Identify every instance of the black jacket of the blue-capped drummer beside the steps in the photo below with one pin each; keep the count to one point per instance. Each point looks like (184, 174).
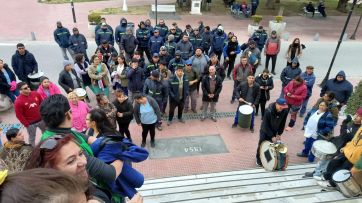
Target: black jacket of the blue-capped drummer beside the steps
(273, 122)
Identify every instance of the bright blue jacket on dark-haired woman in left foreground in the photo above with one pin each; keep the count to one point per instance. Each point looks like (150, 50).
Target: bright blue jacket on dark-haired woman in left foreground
(116, 148)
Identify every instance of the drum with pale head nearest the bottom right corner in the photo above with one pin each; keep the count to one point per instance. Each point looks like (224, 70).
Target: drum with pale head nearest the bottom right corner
(346, 184)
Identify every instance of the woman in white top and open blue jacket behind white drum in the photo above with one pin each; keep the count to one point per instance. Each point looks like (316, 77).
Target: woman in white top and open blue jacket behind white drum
(318, 124)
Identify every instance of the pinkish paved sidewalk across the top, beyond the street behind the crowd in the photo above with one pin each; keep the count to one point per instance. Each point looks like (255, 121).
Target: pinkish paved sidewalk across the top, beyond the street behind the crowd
(41, 19)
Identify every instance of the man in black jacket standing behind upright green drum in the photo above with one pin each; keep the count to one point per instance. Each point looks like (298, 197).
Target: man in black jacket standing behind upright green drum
(247, 93)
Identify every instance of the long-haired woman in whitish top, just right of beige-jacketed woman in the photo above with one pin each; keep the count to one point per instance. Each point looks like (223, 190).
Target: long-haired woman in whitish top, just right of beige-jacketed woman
(120, 80)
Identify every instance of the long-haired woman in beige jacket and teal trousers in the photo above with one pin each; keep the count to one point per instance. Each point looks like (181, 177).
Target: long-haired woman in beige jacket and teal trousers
(98, 72)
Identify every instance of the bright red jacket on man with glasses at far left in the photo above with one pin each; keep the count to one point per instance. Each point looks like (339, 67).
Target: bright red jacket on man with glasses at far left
(27, 108)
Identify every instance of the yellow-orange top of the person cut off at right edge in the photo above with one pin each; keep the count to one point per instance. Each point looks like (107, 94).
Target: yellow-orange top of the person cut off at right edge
(353, 149)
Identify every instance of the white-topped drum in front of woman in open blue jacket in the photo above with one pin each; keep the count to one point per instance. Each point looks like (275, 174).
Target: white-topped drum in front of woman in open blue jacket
(323, 149)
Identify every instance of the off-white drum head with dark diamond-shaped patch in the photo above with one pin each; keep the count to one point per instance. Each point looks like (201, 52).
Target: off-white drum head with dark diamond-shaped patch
(267, 156)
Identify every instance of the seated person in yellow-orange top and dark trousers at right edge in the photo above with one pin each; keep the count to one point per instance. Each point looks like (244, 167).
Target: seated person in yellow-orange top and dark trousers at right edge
(350, 155)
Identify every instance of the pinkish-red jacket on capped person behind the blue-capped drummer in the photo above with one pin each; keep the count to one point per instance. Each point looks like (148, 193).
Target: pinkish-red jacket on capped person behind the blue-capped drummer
(299, 93)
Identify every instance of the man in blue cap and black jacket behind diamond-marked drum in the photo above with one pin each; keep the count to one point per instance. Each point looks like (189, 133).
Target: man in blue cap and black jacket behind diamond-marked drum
(273, 124)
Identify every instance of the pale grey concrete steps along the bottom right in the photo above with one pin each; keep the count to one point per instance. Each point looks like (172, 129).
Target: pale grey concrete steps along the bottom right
(252, 185)
